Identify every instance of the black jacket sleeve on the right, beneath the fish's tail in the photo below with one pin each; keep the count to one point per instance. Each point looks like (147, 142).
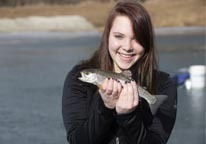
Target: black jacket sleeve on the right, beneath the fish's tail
(140, 127)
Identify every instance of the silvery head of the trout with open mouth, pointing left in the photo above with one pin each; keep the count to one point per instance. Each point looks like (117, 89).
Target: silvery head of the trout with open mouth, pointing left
(88, 76)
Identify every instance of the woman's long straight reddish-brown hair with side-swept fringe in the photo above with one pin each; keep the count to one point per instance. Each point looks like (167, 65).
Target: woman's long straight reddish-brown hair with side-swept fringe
(143, 31)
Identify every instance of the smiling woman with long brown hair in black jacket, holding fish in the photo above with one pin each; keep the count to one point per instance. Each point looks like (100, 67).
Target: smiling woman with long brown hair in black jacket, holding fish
(115, 113)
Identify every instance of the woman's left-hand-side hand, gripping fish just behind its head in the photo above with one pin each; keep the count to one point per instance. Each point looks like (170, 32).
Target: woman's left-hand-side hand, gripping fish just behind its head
(110, 91)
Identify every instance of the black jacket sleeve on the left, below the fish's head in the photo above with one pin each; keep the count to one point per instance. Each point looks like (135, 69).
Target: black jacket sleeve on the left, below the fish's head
(85, 122)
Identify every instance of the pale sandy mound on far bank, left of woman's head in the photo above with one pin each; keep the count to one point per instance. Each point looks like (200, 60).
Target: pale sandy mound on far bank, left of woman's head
(40, 23)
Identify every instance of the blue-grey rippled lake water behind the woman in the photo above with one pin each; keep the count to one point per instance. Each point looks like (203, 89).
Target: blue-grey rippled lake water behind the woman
(33, 67)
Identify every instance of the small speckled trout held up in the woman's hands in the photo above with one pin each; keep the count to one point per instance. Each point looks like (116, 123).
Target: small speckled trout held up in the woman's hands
(97, 76)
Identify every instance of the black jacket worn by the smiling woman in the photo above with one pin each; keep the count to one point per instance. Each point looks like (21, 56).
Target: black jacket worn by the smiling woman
(88, 121)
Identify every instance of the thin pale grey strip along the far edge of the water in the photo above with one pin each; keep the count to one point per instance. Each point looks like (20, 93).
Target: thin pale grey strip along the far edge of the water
(90, 32)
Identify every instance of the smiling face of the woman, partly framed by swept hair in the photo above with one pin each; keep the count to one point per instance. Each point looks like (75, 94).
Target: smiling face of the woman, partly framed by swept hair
(123, 47)
